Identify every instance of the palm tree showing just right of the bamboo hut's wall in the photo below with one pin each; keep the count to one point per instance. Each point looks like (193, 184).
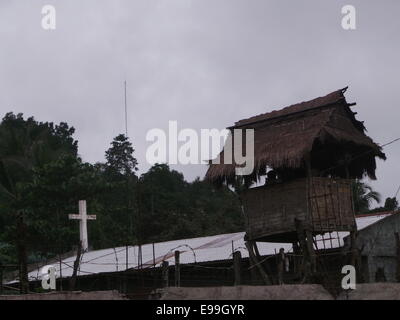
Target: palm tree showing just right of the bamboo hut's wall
(363, 196)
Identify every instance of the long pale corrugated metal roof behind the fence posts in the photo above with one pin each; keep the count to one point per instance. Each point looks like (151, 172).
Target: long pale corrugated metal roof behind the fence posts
(195, 250)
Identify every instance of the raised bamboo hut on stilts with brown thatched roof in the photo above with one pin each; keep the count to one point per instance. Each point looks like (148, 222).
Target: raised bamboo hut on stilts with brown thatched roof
(305, 156)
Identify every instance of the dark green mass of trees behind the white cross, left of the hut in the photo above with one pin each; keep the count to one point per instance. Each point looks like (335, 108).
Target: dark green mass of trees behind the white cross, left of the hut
(42, 178)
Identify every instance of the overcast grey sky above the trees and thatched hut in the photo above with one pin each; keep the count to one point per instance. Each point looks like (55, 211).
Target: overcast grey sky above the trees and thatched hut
(203, 63)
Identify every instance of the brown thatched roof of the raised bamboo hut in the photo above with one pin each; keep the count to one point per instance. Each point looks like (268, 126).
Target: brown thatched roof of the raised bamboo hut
(323, 128)
